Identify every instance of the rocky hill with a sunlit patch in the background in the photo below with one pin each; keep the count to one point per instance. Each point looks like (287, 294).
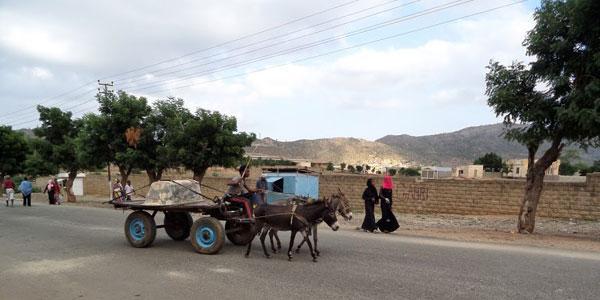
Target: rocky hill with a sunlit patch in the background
(447, 149)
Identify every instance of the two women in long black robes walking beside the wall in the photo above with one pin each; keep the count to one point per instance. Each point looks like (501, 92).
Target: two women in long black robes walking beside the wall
(388, 222)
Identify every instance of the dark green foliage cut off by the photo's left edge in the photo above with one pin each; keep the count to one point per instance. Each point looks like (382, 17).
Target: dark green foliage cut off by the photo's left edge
(13, 151)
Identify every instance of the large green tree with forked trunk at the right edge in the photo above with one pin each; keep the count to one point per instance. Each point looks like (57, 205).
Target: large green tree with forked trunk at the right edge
(566, 44)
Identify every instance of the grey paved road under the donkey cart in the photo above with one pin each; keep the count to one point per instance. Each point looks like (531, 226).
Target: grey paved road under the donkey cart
(58, 252)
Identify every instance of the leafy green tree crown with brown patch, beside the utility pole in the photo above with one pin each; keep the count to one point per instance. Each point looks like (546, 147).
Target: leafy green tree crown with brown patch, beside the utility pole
(102, 138)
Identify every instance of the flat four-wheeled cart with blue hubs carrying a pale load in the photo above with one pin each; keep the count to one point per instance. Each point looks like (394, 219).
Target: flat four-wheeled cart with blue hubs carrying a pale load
(178, 200)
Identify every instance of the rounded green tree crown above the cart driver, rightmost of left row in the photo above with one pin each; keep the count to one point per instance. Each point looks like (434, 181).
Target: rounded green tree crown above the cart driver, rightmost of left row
(211, 139)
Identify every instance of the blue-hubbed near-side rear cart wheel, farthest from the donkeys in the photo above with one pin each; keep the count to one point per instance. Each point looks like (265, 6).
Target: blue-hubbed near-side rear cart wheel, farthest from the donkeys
(140, 229)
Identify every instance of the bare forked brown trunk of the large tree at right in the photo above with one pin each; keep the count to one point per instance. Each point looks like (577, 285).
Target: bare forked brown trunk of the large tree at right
(535, 183)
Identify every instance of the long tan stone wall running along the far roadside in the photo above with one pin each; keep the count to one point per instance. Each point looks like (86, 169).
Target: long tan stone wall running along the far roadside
(451, 196)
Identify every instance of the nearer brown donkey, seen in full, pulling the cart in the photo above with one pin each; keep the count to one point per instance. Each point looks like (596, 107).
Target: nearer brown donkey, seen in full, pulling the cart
(292, 218)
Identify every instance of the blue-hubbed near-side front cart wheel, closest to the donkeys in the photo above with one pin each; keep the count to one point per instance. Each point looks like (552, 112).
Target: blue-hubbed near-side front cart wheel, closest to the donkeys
(207, 235)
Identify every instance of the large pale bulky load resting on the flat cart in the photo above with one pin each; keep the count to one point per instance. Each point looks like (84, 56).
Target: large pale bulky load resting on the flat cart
(174, 193)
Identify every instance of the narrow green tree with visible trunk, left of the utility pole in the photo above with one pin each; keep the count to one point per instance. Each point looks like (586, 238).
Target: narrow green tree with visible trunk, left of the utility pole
(58, 133)
